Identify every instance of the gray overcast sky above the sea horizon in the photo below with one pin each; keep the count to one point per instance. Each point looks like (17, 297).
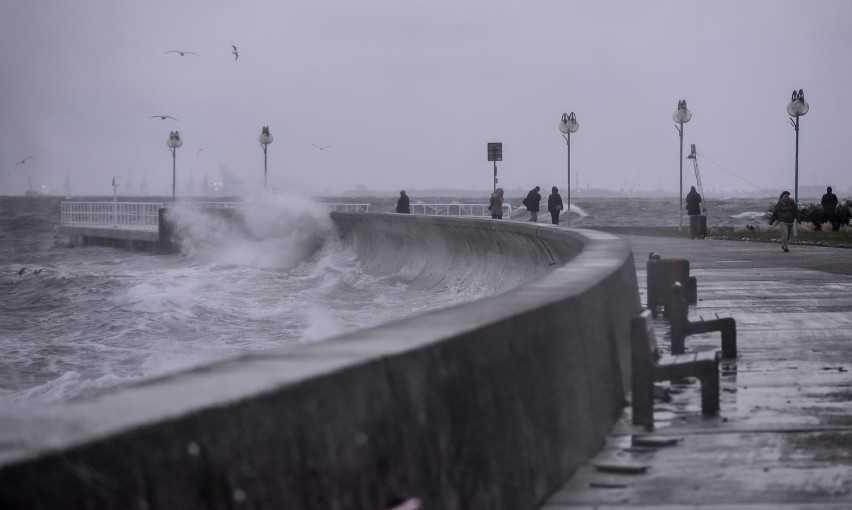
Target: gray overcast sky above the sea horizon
(408, 92)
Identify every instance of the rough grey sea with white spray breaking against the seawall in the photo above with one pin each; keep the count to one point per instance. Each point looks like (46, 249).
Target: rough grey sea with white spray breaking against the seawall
(75, 321)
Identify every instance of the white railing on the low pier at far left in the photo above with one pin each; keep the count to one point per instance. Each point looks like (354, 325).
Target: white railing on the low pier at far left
(127, 215)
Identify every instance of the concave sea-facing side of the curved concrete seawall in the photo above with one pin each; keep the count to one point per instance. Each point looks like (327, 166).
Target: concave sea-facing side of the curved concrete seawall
(433, 250)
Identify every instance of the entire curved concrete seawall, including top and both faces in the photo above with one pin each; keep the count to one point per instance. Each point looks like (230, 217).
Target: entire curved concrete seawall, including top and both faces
(491, 404)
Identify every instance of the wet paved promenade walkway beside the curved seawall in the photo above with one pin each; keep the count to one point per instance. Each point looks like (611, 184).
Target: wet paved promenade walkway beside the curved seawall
(783, 438)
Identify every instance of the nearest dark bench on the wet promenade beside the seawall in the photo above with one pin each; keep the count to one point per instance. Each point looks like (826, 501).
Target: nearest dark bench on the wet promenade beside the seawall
(649, 367)
